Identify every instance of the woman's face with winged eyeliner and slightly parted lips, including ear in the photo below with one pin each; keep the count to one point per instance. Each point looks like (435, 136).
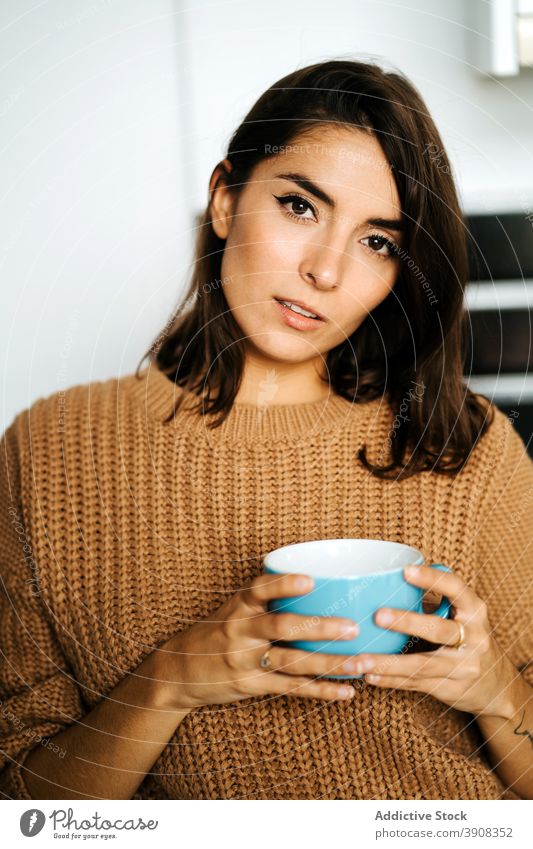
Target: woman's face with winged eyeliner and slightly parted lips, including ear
(331, 253)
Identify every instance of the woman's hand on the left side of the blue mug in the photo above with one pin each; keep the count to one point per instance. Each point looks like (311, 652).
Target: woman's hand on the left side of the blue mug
(217, 660)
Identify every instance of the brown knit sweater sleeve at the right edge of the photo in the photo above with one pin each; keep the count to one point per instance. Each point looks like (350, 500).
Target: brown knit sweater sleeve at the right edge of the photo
(504, 543)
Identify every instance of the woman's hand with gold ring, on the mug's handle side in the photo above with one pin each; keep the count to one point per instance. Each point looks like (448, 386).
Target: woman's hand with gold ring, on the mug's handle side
(476, 678)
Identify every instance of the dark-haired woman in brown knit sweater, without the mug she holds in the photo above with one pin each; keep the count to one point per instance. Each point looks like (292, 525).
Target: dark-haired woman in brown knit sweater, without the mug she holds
(308, 386)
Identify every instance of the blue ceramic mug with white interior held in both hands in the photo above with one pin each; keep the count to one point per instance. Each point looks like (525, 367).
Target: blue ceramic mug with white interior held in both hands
(353, 578)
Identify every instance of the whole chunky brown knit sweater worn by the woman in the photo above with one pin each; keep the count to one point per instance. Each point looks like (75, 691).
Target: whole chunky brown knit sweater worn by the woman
(118, 530)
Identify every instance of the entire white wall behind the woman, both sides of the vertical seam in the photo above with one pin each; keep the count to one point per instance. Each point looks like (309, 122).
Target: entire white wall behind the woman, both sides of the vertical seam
(114, 113)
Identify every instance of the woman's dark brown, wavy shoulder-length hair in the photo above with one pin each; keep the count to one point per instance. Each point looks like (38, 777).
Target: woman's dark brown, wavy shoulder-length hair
(415, 336)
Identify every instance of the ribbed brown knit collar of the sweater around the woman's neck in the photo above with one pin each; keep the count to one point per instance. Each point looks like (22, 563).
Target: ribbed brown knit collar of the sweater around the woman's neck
(158, 395)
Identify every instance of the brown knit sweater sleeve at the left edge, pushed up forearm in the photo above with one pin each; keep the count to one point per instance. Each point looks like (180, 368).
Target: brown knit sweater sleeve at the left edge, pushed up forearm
(38, 695)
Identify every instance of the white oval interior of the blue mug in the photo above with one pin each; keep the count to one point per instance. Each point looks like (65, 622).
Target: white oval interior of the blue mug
(342, 558)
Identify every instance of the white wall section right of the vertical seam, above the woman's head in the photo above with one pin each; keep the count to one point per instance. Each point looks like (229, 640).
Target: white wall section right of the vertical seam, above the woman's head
(241, 48)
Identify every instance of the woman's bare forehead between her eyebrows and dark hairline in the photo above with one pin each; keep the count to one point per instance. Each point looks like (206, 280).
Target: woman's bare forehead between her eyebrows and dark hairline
(349, 164)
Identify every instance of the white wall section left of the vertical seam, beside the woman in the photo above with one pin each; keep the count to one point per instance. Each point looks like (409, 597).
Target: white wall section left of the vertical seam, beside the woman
(94, 205)
